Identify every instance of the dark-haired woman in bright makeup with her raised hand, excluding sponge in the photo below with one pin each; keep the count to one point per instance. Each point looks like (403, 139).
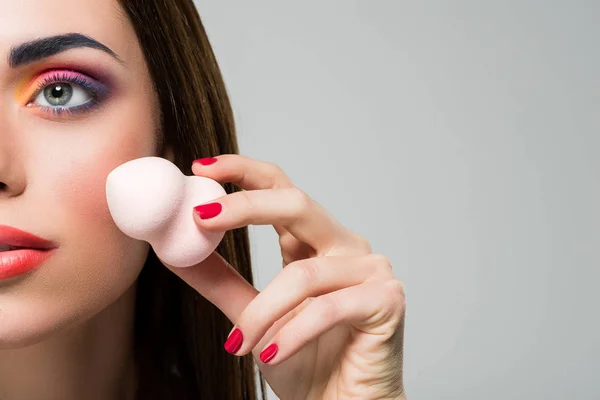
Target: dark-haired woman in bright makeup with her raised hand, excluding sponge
(90, 84)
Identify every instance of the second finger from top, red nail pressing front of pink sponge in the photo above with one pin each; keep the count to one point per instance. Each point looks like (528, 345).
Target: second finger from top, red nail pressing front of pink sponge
(289, 207)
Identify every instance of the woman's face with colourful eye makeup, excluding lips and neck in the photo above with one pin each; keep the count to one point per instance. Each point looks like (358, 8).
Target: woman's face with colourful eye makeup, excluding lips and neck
(71, 110)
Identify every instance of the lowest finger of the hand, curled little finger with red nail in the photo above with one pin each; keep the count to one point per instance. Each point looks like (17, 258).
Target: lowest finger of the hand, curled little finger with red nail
(377, 307)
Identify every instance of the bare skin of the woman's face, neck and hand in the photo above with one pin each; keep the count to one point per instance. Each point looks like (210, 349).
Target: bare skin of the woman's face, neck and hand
(335, 311)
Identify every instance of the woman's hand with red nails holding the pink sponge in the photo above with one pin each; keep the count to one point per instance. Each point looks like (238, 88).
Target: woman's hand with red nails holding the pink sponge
(330, 325)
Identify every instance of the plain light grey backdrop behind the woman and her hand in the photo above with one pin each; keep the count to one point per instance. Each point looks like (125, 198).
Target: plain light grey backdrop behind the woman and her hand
(460, 137)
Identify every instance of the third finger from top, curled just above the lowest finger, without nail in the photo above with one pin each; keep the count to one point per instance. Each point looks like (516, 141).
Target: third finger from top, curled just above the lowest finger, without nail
(301, 280)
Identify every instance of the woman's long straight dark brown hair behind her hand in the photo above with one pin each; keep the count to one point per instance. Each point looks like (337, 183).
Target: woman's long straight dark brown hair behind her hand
(179, 334)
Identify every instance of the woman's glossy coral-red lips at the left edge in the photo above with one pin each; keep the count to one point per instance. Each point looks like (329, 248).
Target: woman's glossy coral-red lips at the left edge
(21, 252)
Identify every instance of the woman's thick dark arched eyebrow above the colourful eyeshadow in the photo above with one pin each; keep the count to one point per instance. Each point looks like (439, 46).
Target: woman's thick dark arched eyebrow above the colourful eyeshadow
(38, 49)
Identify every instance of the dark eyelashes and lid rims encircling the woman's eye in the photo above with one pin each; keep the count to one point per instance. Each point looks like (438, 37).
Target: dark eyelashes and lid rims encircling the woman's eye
(96, 91)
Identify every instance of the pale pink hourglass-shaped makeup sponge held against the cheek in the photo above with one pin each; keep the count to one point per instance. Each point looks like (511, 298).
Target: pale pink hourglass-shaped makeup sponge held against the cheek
(151, 199)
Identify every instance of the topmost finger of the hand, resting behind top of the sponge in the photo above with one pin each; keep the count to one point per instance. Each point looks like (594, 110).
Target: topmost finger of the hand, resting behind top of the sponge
(244, 172)
